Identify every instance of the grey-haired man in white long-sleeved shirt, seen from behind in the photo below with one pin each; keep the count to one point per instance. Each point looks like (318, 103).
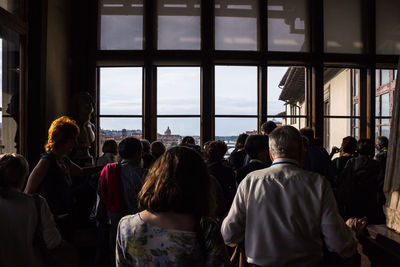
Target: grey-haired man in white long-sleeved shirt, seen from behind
(283, 213)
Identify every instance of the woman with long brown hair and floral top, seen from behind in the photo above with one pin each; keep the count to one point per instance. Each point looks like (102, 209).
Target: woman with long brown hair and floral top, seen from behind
(175, 199)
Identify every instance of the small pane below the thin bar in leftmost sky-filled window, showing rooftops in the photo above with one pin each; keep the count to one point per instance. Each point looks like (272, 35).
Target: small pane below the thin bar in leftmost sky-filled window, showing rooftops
(119, 128)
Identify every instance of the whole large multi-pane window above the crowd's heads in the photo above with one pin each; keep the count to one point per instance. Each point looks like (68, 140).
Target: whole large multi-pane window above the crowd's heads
(215, 69)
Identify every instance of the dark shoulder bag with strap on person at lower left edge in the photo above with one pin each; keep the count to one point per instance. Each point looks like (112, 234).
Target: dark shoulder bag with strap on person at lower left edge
(63, 255)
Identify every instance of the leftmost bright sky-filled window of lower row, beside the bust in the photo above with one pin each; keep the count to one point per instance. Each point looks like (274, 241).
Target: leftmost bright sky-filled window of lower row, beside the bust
(120, 103)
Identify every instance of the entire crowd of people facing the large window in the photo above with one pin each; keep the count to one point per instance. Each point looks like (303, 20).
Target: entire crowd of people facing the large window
(278, 200)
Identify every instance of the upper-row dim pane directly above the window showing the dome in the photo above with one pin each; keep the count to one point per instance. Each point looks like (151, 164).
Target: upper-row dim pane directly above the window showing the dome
(178, 24)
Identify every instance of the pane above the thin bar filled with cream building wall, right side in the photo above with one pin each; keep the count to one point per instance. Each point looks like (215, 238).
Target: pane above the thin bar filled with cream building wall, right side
(337, 92)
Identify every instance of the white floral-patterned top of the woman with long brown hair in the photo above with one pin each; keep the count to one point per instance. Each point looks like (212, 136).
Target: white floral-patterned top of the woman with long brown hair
(142, 244)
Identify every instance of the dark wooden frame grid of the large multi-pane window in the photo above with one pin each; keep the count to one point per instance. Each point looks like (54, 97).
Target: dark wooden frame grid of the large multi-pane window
(315, 61)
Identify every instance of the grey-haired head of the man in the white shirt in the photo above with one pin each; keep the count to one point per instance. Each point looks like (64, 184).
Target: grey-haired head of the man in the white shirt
(285, 141)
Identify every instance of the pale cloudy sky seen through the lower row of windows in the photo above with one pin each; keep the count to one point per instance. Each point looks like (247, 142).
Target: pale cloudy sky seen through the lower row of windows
(178, 93)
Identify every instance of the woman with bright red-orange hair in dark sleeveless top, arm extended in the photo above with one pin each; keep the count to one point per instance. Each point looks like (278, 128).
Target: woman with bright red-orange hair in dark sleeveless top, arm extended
(51, 177)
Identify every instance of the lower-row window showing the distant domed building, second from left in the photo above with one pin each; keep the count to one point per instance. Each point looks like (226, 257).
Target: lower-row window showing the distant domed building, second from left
(178, 104)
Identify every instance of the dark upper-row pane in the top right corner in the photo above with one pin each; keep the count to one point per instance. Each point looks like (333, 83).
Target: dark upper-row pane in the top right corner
(387, 27)
